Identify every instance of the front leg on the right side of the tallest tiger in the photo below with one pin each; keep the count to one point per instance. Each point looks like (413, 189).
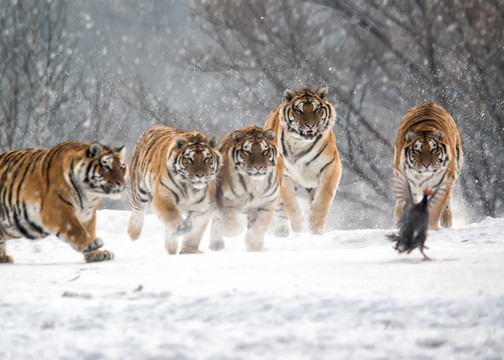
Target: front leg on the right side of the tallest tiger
(324, 195)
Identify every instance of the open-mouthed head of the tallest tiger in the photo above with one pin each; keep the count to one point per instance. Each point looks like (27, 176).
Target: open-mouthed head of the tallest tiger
(307, 114)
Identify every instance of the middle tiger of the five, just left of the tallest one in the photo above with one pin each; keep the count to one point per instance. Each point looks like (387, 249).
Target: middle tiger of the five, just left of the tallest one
(248, 183)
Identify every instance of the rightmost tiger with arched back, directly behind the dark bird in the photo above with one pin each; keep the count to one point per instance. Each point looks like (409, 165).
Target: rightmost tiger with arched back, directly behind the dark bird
(429, 151)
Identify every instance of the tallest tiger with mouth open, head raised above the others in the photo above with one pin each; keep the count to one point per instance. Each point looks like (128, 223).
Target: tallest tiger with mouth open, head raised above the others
(303, 127)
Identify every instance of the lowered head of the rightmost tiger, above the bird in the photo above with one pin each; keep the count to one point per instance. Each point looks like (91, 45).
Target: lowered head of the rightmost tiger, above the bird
(425, 151)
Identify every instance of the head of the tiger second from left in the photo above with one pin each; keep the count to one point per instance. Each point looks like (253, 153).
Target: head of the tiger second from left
(194, 159)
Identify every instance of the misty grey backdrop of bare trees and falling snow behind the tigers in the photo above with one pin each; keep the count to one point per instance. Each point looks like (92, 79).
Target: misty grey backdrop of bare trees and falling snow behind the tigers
(106, 71)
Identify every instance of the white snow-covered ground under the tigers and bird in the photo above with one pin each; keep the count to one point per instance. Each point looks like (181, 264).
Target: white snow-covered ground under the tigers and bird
(344, 295)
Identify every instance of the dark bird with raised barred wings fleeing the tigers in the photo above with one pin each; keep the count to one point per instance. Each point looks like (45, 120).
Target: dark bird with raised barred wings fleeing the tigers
(414, 220)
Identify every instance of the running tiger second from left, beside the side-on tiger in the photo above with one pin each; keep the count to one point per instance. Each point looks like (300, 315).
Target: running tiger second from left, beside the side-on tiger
(176, 173)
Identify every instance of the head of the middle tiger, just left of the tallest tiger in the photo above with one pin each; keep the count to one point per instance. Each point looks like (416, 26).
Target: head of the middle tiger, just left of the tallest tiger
(254, 152)
